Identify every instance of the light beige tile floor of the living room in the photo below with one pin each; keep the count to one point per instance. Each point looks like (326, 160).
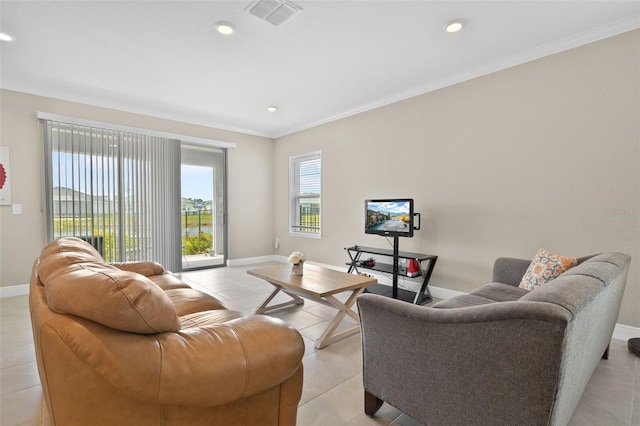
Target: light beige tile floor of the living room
(332, 393)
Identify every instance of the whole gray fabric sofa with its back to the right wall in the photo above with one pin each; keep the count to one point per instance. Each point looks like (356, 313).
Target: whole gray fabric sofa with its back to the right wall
(500, 355)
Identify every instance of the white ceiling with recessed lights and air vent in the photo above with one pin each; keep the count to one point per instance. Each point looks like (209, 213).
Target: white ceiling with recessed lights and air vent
(334, 59)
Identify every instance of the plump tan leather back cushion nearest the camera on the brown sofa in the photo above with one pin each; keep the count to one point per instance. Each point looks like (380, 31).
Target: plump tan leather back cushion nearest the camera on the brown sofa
(122, 300)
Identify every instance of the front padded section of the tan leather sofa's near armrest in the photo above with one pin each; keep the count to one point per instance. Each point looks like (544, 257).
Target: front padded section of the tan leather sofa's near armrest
(229, 361)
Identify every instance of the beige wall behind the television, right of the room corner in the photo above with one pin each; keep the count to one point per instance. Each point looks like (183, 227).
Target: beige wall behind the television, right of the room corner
(542, 155)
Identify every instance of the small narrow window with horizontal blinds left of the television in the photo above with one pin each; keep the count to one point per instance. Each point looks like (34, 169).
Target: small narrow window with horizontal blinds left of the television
(305, 182)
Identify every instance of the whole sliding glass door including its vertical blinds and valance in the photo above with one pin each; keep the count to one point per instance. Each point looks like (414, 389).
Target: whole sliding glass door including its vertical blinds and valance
(136, 196)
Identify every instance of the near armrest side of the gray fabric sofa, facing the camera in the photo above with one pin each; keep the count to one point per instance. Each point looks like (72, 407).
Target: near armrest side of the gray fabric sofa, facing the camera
(466, 365)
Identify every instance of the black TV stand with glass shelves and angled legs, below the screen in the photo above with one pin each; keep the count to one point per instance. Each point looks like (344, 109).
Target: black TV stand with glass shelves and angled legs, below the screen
(423, 295)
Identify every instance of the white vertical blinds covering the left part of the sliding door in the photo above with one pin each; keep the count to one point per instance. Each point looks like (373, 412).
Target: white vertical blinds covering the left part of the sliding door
(119, 190)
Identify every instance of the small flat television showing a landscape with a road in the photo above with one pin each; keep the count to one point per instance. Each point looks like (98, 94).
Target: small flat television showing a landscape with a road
(390, 217)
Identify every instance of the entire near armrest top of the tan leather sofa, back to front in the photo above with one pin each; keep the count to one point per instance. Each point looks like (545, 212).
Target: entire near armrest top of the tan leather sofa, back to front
(208, 366)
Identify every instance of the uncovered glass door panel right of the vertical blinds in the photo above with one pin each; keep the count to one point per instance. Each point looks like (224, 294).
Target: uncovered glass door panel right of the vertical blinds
(202, 207)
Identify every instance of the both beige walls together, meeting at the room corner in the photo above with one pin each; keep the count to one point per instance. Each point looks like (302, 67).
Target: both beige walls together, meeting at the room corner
(545, 154)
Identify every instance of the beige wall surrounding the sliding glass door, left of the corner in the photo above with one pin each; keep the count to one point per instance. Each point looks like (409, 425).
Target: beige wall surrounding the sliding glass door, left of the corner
(250, 179)
